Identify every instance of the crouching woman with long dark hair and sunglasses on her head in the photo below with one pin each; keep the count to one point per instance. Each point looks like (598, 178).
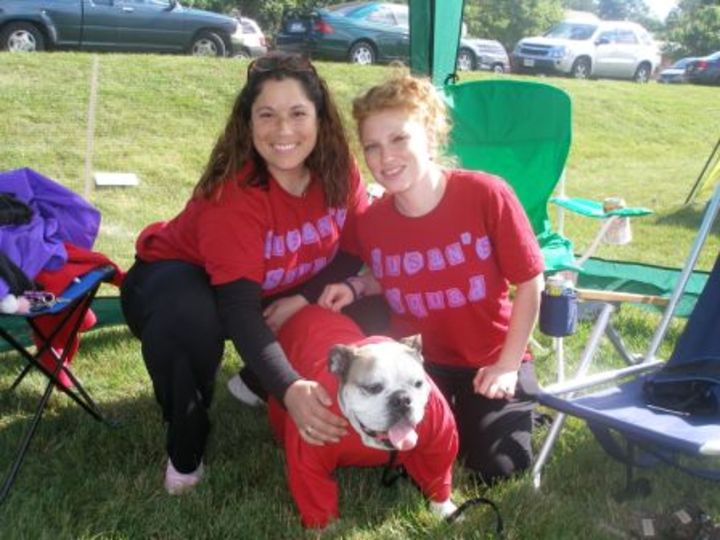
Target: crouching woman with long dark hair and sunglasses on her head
(270, 222)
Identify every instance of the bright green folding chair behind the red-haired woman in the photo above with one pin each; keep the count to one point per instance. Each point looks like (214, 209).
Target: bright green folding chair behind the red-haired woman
(522, 131)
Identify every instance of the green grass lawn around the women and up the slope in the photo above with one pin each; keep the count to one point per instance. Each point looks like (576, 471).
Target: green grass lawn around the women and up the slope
(158, 117)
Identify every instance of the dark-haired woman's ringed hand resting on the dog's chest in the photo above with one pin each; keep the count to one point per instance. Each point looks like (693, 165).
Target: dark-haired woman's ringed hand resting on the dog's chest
(308, 402)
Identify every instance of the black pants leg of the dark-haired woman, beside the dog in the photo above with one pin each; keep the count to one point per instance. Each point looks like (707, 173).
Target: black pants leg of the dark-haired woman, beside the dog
(170, 306)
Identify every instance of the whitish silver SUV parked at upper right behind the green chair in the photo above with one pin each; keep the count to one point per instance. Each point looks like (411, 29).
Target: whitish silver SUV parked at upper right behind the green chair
(583, 49)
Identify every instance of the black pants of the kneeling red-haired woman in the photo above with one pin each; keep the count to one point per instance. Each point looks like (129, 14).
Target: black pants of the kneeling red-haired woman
(495, 434)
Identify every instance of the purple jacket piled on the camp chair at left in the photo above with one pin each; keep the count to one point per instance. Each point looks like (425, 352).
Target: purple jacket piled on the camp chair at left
(59, 215)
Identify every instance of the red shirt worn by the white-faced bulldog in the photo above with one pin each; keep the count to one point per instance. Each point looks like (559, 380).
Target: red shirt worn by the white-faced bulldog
(307, 338)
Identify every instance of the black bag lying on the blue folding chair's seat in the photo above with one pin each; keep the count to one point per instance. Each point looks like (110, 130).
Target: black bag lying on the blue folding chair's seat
(691, 389)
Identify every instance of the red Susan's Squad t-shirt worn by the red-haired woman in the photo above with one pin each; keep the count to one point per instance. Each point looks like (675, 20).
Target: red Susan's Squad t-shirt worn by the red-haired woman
(446, 274)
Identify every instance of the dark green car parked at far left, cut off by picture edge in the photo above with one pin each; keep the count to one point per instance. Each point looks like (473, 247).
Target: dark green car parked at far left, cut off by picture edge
(116, 25)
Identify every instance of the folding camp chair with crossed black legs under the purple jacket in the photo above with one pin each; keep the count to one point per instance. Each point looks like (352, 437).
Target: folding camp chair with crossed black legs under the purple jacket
(70, 309)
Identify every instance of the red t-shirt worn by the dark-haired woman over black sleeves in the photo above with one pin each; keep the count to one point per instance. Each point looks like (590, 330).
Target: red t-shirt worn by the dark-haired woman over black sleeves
(265, 235)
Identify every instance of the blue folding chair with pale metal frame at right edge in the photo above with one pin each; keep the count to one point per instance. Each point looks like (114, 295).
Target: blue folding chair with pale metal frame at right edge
(662, 435)
